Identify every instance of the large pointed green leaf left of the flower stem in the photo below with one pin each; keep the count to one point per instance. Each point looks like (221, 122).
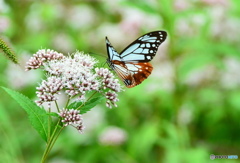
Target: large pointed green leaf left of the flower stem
(37, 116)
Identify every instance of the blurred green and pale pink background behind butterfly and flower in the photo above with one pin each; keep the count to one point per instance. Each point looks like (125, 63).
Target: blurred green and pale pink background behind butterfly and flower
(188, 109)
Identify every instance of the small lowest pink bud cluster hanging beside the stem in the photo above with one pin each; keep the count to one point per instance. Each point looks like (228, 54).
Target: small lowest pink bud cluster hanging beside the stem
(72, 117)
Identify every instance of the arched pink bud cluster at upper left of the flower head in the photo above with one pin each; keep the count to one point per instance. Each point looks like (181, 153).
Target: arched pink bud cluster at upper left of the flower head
(41, 56)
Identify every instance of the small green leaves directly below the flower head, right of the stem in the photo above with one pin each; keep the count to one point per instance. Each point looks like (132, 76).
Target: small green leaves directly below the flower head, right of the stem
(87, 106)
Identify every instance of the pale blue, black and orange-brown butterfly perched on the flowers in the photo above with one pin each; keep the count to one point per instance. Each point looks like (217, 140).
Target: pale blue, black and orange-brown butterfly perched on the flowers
(132, 64)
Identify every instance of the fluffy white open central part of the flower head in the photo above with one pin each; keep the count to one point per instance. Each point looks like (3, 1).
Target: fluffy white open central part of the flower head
(76, 74)
